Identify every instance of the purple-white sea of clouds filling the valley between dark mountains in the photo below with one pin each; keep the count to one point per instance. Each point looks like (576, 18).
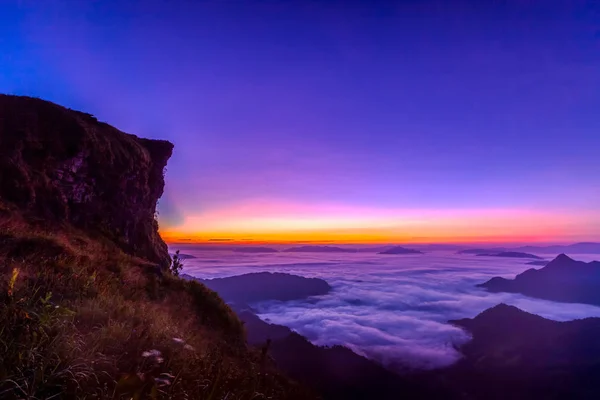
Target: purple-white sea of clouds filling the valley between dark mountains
(391, 308)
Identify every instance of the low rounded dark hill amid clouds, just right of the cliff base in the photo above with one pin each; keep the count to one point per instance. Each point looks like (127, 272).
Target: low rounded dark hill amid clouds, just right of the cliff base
(260, 286)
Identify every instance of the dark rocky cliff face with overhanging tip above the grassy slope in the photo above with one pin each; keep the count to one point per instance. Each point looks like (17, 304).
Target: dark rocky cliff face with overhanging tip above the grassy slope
(64, 166)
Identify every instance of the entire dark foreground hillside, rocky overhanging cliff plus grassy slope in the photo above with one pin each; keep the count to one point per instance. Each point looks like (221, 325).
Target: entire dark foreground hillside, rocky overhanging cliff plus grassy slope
(87, 308)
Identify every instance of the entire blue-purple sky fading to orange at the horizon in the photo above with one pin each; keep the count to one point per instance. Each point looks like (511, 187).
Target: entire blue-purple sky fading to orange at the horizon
(354, 121)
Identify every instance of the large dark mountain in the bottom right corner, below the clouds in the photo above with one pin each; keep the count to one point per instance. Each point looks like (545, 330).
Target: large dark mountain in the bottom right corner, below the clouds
(517, 355)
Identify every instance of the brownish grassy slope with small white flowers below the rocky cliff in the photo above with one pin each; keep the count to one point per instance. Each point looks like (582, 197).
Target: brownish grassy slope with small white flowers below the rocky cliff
(80, 319)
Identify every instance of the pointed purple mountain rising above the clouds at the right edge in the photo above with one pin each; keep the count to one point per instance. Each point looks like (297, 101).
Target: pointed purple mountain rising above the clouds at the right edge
(562, 279)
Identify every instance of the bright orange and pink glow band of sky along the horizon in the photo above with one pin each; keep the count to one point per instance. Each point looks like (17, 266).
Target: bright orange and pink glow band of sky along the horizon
(278, 222)
